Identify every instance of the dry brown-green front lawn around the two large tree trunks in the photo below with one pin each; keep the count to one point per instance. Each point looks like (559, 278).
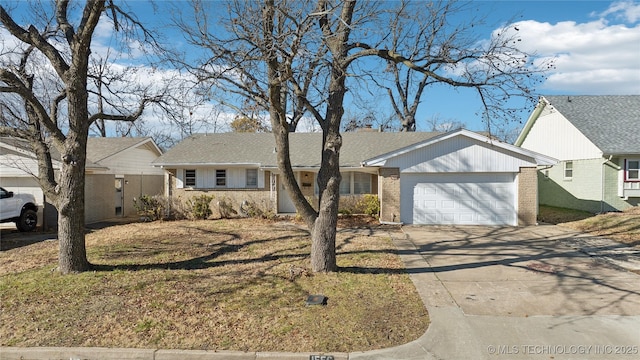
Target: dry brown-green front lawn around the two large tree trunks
(223, 285)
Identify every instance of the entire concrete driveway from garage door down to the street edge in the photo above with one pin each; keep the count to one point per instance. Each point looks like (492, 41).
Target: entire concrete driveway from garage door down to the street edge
(518, 293)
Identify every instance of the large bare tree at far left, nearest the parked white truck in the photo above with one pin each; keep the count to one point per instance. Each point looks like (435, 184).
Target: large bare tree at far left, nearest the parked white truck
(47, 101)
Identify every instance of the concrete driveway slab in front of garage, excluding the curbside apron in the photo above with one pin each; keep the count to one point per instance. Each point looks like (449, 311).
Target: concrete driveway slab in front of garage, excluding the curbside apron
(539, 270)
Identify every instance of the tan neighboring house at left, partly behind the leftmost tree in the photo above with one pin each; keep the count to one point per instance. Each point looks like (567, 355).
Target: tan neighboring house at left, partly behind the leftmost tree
(117, 170)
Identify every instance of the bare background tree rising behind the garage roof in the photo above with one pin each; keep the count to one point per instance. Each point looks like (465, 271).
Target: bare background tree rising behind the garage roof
(429, 48)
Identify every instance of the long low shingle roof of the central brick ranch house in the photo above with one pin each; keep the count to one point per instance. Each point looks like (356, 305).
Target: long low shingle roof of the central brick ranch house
(245, 148)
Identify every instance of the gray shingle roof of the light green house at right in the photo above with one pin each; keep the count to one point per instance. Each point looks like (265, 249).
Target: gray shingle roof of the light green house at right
(611, 122)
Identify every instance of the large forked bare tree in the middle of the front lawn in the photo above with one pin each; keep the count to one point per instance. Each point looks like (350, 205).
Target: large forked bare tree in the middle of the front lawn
(266, 51)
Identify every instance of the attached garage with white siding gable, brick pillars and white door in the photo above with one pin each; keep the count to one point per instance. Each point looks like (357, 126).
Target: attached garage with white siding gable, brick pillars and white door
(459, 178)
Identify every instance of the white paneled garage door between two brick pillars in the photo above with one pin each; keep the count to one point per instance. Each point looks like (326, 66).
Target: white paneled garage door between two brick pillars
(460, 199)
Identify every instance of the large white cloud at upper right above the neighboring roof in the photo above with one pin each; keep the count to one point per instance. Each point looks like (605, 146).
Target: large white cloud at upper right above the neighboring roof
(591, 58)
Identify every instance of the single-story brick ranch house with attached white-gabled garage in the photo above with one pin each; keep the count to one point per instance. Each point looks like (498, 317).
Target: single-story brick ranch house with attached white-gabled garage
(459, 177)
